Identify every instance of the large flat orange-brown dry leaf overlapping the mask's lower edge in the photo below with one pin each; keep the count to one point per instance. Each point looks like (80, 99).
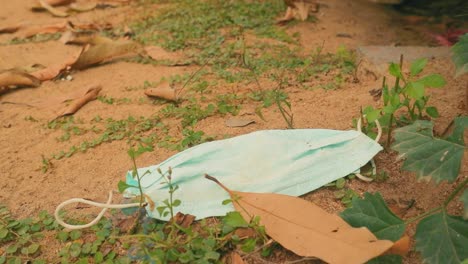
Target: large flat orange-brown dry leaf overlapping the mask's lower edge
(306, 229)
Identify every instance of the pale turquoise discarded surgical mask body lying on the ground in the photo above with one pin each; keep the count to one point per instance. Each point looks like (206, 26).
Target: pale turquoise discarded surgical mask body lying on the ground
(291, 162)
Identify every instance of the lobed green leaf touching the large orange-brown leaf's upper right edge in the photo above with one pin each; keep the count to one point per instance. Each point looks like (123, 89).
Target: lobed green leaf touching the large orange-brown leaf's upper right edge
(373, 213)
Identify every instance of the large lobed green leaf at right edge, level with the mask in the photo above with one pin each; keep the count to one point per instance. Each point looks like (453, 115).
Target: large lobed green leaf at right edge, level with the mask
(429, 156)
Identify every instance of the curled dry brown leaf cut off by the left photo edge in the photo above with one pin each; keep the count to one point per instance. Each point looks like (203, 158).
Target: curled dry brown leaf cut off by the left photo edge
(17, 78)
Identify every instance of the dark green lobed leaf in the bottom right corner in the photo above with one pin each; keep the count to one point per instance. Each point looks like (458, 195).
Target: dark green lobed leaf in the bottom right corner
(442, 238)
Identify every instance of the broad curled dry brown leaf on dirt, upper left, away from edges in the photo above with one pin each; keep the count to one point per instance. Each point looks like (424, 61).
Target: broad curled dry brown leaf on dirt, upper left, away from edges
(101, 52)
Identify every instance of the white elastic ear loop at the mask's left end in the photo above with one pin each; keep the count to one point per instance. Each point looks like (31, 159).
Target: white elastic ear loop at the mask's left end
(105, 206)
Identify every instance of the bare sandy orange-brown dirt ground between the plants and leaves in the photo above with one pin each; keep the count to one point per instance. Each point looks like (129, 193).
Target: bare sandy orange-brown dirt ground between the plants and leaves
(26, 189)
